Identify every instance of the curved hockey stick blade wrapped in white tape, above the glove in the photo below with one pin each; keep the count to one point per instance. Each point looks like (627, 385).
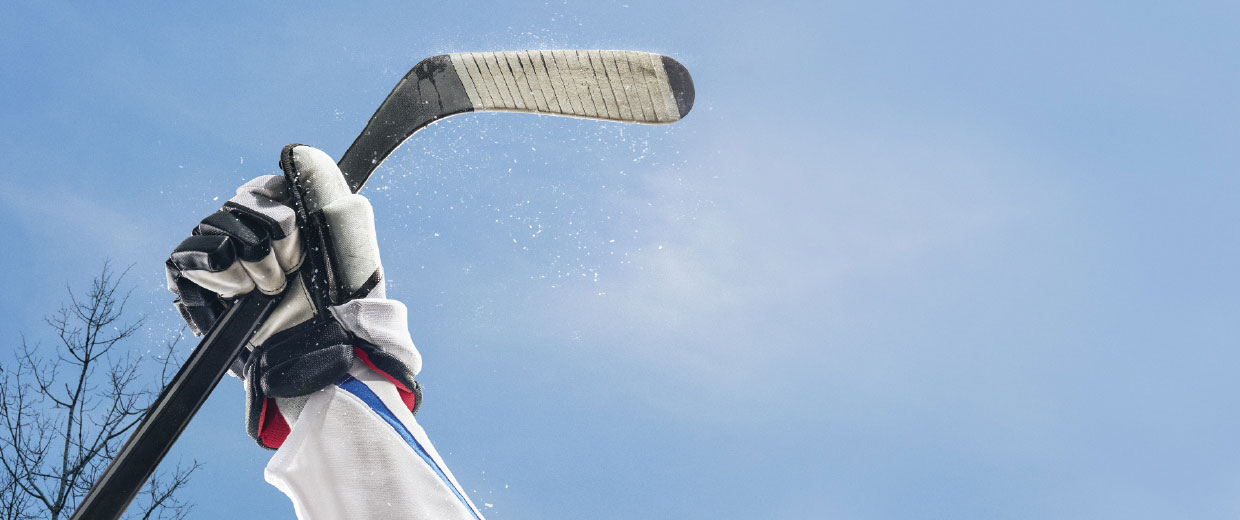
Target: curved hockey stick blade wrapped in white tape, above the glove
(621, 86)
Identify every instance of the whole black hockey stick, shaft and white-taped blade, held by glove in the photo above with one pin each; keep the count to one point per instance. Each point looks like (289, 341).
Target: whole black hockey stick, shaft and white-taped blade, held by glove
(622, 86)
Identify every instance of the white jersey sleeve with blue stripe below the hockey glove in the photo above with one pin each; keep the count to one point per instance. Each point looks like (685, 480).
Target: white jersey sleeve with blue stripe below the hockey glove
(356, 452)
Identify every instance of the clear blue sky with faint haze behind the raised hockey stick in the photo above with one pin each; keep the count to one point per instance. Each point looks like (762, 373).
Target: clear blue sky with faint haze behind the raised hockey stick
(903, 260)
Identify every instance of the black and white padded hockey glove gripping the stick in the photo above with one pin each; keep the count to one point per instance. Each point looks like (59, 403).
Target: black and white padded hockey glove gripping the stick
(307, 235)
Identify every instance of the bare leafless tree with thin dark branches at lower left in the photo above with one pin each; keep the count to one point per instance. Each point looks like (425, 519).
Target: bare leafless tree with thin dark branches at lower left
(68, 409)
